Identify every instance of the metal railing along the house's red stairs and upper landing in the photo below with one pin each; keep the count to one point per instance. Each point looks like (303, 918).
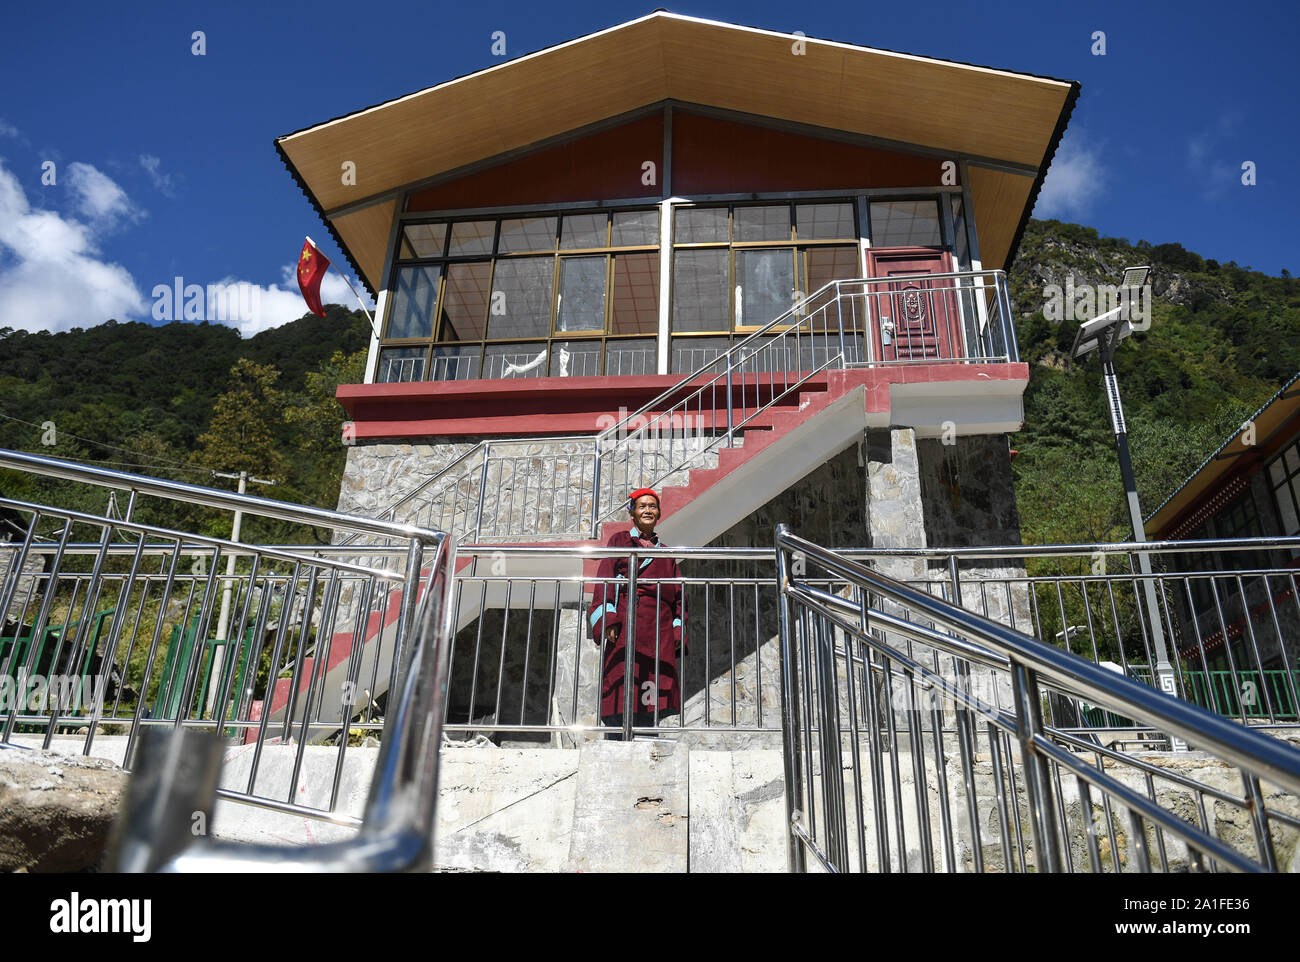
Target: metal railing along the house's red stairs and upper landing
(582, 482)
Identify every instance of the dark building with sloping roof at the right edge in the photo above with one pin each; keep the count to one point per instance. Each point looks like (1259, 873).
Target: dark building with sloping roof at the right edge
(1249, 488)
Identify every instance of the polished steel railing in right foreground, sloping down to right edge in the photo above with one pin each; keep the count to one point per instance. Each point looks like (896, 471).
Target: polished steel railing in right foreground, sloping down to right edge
(916, 740)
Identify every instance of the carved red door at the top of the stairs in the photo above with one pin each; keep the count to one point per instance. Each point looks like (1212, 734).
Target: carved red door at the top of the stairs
(915, 319)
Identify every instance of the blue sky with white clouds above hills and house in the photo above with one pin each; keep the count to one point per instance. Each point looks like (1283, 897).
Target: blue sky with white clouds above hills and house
(164, 163)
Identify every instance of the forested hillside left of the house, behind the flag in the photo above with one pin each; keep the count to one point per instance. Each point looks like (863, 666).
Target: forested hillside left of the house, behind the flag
(181, 401)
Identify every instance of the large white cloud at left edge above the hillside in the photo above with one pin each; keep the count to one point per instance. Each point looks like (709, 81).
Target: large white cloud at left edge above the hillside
(51, 278)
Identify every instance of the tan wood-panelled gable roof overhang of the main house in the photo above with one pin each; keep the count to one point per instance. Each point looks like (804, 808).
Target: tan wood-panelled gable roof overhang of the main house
(1006, 124)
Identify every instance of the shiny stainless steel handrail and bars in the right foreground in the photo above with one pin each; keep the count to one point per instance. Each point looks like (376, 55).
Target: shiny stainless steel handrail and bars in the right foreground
(1032, 665)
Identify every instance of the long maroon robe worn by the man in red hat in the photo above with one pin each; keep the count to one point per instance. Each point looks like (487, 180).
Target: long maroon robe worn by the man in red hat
(661, 613)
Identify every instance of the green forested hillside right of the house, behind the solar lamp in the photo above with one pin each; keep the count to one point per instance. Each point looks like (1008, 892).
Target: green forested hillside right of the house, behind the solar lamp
(1223, 340)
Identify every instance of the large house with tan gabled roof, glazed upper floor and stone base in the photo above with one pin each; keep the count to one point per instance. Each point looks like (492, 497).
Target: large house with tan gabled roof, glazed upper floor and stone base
(562, 239)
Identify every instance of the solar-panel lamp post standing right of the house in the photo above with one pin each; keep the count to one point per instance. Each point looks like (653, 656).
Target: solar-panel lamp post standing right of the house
(1104, 333)
